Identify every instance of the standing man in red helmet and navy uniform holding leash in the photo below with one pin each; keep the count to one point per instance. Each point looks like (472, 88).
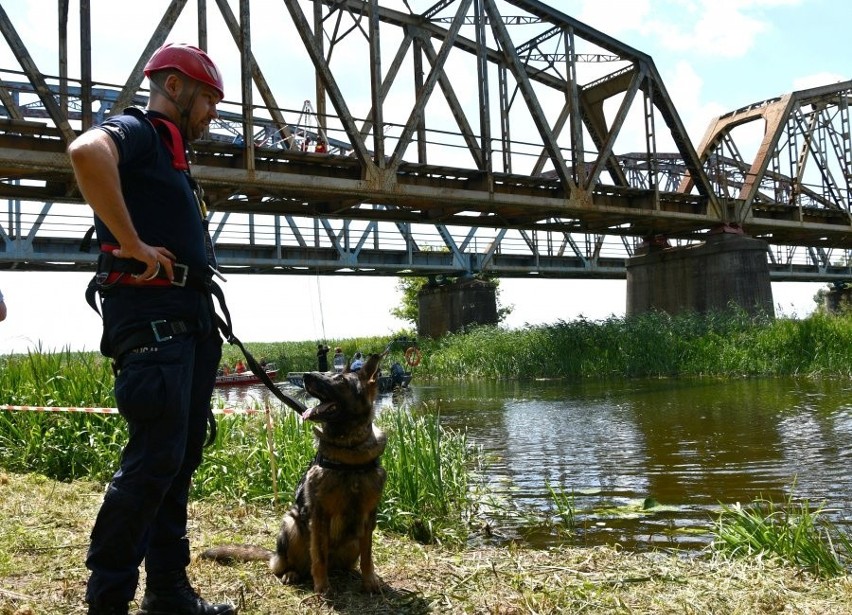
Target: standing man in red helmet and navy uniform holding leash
(159, 328)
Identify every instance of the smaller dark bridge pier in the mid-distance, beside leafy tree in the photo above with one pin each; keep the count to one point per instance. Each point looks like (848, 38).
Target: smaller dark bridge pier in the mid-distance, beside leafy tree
(451, 307)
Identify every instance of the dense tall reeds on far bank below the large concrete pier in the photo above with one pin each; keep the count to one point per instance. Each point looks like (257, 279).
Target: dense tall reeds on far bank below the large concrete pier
(730, 344)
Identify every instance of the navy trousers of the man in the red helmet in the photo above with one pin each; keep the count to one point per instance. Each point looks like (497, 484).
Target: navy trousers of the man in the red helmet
(163, 391)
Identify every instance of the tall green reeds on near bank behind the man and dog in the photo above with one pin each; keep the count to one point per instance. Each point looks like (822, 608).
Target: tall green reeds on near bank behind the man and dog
(261, 458)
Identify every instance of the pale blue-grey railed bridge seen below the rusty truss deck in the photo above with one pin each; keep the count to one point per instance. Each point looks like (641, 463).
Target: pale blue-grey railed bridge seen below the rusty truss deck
(51, 236)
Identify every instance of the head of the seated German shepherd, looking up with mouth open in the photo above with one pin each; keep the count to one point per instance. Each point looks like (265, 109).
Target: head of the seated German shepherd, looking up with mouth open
(345, 396)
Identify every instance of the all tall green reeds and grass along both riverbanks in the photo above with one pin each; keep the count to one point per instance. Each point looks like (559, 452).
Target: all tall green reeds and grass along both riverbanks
(432, 492)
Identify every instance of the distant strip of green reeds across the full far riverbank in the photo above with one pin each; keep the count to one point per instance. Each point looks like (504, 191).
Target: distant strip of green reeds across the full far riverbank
(729, 344)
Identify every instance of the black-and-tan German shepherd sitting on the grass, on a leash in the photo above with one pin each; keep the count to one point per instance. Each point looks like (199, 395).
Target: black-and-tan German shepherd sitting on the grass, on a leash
(332, 520)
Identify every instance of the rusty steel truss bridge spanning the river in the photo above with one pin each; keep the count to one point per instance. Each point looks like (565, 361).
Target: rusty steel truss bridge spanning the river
(466, 136)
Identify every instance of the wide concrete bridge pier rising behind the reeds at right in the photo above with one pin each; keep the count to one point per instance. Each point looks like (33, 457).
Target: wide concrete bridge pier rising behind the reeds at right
(727, 268)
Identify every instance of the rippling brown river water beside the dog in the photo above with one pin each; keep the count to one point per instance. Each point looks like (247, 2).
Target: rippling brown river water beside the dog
(689, 445)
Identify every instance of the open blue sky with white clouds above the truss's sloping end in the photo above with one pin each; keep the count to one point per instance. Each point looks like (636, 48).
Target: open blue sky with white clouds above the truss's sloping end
(717, 55)
